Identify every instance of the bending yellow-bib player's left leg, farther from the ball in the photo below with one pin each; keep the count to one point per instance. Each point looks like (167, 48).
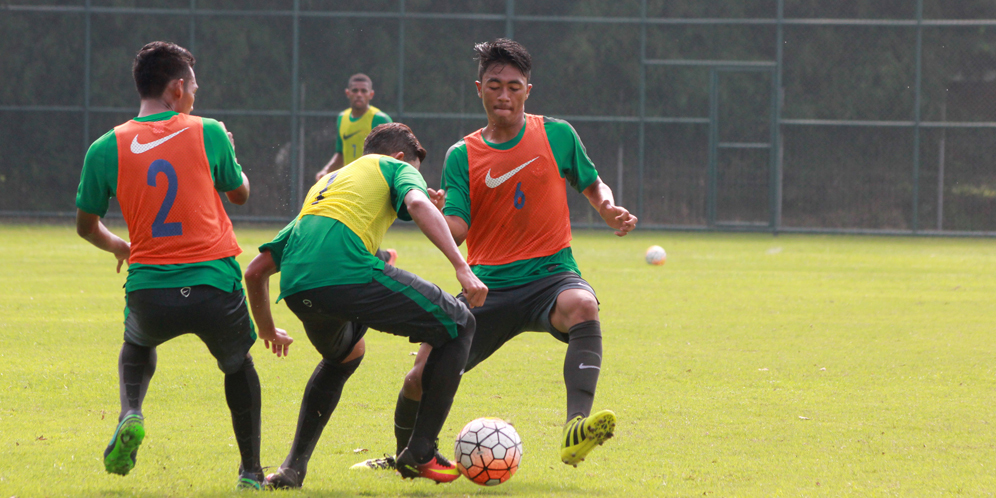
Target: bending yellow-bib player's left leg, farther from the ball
(342, 347)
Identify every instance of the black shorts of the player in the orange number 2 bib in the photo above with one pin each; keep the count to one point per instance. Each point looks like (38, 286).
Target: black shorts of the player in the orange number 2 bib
(219, 318)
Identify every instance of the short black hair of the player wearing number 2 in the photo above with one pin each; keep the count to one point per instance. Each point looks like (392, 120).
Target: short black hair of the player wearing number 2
(158, 63)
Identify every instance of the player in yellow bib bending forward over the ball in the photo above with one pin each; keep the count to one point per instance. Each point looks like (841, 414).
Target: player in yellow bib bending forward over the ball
(337, 287)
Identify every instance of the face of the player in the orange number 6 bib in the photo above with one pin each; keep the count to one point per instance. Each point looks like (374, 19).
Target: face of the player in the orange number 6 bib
(503, 90)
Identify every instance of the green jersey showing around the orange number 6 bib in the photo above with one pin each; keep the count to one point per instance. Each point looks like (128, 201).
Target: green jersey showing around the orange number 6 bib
(574, 165)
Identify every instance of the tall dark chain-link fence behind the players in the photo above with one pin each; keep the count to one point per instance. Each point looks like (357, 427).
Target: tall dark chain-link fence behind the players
(775, 115)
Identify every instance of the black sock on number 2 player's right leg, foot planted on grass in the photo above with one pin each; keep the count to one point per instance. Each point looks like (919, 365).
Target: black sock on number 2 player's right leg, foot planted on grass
(242, 393)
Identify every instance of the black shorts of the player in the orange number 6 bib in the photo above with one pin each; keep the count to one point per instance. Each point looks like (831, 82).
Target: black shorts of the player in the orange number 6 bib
(510, 311)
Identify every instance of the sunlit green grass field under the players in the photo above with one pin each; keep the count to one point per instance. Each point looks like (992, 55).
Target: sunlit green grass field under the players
(748, 365)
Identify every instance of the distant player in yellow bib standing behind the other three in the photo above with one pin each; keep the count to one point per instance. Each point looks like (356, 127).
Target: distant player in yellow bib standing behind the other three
(354, 124)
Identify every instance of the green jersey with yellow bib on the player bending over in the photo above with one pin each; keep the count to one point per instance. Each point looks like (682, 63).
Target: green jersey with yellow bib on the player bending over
(328, 244)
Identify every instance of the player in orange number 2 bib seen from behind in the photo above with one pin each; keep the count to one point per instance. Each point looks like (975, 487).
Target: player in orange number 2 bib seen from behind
(166, 168)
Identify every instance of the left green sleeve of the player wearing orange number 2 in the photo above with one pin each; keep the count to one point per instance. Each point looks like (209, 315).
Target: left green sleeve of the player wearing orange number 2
(99, 179)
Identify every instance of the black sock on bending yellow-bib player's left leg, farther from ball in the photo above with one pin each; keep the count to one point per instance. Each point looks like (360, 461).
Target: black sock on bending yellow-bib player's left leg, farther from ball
(321, 396)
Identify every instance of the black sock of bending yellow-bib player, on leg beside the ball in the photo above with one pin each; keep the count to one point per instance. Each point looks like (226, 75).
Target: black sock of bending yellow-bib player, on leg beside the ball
(440, 380)
